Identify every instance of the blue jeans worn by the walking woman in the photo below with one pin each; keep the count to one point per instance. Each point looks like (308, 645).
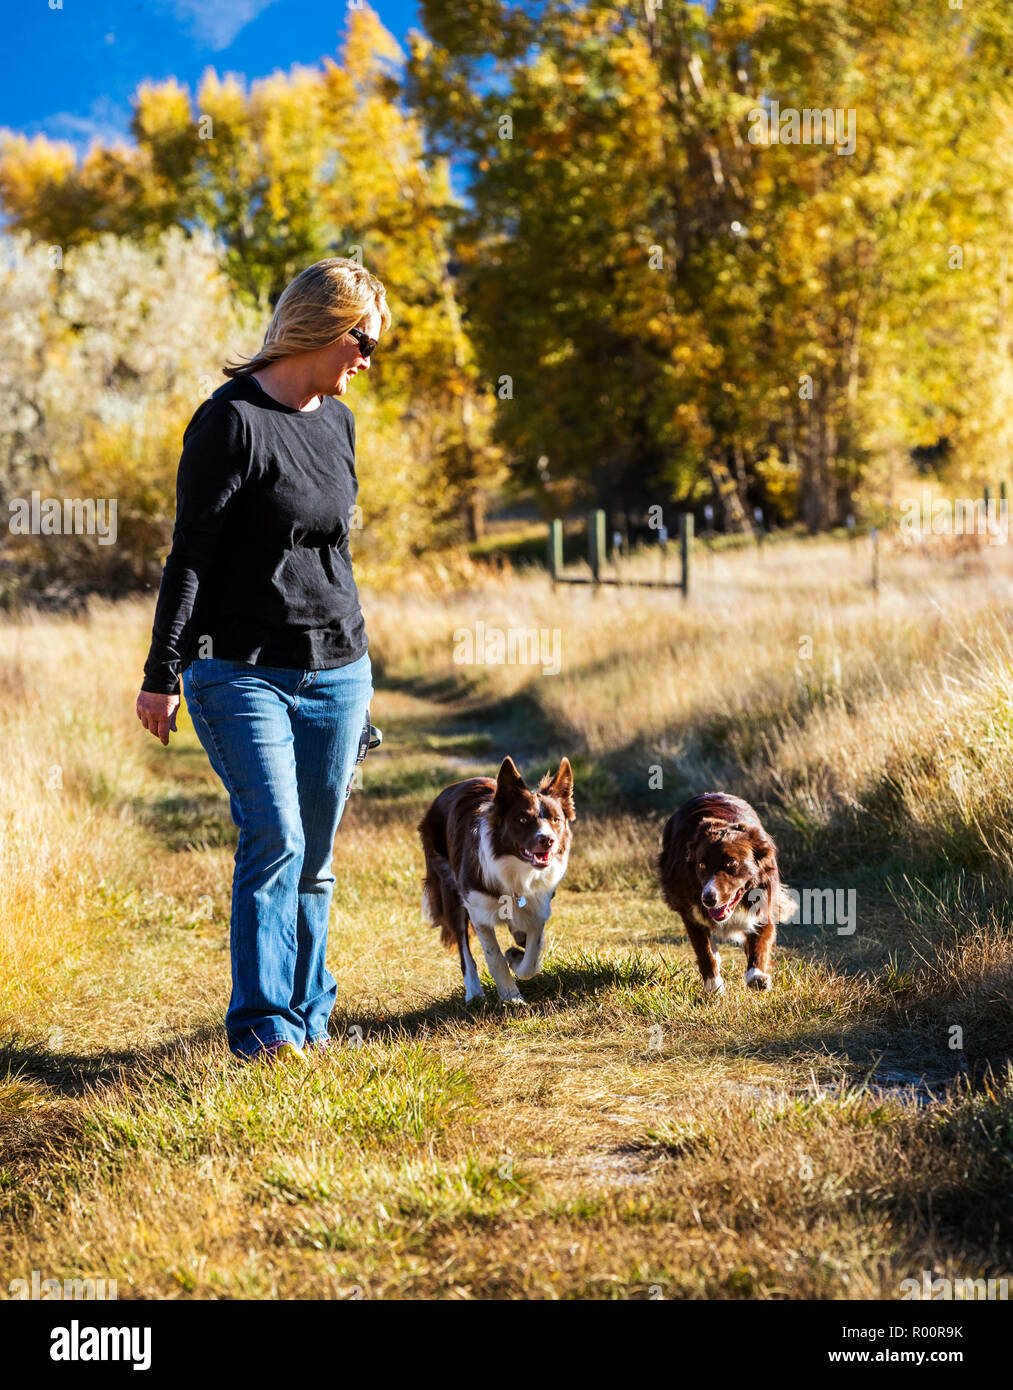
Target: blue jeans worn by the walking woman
(284, 744)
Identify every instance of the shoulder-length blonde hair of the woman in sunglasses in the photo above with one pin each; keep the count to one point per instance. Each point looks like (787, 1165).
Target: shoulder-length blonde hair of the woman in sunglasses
(316, 309)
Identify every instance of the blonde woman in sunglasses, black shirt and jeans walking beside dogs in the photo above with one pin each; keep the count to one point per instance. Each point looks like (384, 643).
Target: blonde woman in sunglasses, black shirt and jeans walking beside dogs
(259, 614)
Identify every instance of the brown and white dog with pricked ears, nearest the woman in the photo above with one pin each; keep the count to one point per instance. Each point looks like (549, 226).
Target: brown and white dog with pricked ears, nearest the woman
(495, 854)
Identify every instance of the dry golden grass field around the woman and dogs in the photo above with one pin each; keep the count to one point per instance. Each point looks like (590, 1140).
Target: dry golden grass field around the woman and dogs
(626, 1136)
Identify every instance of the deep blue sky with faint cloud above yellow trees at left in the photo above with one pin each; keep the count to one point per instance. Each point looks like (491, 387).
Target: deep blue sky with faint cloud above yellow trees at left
(70, 73)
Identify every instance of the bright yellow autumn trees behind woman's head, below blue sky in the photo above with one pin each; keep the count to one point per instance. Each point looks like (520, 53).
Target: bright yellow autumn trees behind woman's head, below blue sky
(299, 166)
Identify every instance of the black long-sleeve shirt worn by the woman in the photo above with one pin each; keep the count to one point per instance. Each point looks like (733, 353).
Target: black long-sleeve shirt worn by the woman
(261, 569)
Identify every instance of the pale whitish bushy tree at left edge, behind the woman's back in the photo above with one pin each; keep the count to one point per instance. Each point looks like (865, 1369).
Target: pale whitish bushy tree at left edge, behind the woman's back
(101, 393)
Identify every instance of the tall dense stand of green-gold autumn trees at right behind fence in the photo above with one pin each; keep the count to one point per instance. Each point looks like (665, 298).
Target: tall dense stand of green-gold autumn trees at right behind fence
(750, 295)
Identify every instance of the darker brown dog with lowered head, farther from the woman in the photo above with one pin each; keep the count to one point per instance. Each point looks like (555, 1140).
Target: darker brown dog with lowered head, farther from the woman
(719, 871)
